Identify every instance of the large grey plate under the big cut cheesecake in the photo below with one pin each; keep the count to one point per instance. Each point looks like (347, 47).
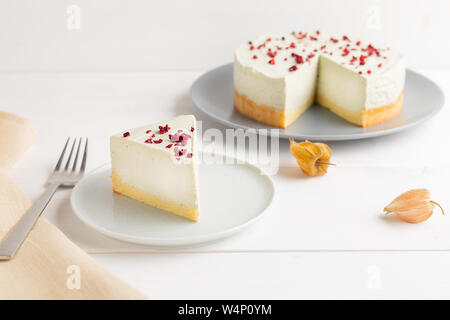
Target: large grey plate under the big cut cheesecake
(213, 94)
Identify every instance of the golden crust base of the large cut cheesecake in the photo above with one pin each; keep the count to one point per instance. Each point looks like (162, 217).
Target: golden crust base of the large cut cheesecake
(278, 118)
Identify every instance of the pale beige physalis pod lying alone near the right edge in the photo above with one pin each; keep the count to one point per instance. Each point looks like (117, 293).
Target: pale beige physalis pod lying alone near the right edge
(413, 206)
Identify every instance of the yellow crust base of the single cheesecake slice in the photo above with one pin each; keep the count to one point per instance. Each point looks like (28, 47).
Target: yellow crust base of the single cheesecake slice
(129, 191)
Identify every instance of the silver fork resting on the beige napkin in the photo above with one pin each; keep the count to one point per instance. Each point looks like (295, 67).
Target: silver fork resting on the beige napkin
(61, 177)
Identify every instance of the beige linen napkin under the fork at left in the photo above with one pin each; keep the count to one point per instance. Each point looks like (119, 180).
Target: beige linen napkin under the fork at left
(48, 265)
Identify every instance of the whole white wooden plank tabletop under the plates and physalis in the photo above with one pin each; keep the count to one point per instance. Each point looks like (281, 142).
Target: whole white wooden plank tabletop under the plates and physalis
(324, 238)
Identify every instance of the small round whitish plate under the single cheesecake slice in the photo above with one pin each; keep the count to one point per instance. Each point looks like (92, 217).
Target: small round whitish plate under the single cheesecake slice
(232, 196)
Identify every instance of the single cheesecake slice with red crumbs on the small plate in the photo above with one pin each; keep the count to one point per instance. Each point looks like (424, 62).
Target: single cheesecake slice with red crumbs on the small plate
(157, 165)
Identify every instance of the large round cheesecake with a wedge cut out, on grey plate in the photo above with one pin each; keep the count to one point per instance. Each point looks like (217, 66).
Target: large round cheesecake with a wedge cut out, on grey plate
(278, 77)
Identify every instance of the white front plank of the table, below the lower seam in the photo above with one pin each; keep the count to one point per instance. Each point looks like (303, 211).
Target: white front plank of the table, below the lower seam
(285, 275)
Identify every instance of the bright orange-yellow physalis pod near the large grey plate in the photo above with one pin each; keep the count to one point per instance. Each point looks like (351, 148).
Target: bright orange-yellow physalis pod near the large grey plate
(312, 158)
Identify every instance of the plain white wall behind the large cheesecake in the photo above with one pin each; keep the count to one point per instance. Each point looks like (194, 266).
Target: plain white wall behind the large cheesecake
(138, 35)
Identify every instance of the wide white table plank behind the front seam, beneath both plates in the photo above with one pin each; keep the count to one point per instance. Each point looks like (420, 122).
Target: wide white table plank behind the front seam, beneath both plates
(342, 210)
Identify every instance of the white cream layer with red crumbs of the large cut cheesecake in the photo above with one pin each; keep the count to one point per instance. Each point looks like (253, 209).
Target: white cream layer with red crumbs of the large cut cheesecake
(265, 66)
